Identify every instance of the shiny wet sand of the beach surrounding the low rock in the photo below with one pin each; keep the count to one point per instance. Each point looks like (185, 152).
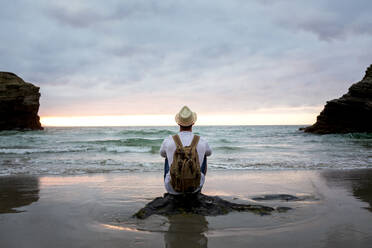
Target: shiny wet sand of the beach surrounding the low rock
(332, 209)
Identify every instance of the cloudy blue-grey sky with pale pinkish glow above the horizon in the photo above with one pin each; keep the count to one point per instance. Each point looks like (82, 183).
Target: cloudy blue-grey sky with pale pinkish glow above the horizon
(232, 62)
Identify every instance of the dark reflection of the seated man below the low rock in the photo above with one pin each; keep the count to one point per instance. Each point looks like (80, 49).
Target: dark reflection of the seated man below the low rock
(186, 231)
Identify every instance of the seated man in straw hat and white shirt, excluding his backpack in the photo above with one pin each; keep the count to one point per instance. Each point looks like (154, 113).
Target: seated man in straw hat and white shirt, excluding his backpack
(185, 119)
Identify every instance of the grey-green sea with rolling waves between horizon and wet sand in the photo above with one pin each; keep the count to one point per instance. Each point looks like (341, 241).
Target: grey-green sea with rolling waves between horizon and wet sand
(83, 150)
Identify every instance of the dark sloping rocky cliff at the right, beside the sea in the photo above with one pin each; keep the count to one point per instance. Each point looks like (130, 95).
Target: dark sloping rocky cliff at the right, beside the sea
(350, 113)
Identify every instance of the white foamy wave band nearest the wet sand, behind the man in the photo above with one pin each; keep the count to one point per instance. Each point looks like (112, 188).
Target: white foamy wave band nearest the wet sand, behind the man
(76, 166)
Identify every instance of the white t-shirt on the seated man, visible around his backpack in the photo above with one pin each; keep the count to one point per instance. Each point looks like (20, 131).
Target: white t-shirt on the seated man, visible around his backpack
(168, 148)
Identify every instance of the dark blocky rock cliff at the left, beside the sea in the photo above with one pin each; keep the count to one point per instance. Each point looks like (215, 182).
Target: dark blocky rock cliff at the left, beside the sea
(19, 103)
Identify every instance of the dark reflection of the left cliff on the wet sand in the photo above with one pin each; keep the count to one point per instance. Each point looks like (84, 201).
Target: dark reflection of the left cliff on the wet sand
(17, 191)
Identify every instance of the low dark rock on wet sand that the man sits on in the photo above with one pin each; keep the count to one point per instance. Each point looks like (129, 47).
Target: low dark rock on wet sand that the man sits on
(198, 204)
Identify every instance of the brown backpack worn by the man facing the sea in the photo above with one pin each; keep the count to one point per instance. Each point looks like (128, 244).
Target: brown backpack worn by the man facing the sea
(185, 168)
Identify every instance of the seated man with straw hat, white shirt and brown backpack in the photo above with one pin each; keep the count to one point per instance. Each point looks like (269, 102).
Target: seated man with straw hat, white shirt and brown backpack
(185, 152)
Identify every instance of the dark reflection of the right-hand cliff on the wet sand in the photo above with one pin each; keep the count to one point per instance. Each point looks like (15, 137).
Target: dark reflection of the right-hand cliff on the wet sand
(358, 182)
